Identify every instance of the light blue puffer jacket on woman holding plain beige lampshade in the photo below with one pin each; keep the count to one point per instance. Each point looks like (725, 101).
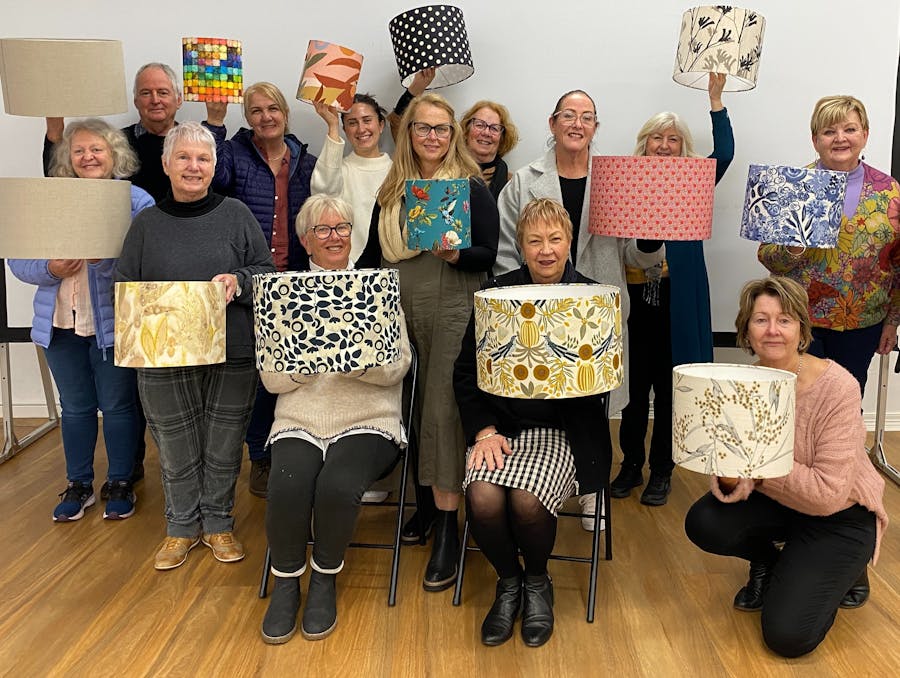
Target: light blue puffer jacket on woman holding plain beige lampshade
(100, 281)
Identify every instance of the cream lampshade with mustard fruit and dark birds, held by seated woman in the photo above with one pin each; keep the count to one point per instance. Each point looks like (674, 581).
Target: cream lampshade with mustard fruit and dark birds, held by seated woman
(548, 341)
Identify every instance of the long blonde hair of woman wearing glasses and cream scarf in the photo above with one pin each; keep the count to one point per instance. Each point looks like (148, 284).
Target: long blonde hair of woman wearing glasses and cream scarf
(458, 162)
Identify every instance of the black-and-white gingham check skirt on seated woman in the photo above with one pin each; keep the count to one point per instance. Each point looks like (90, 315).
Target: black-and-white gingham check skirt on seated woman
(541, 463)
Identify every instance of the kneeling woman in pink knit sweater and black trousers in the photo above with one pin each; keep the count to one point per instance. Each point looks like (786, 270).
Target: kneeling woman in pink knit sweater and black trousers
(827, 511)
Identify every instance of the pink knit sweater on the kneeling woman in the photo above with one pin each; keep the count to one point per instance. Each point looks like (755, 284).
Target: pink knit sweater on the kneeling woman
(831, 468)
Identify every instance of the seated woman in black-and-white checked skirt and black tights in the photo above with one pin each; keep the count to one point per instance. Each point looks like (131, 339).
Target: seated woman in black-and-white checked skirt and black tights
(526, 456)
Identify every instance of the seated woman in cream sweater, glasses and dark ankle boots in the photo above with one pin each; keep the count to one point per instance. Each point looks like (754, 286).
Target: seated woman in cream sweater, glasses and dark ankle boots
(333, 436)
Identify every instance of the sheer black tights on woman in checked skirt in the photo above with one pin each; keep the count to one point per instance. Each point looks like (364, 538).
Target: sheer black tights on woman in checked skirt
(505, 521)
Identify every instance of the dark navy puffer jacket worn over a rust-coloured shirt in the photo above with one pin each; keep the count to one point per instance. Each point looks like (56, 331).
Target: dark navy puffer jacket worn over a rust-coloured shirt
(242, 173)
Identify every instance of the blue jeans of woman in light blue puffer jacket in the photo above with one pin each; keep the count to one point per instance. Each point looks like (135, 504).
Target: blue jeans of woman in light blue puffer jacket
(88, 380)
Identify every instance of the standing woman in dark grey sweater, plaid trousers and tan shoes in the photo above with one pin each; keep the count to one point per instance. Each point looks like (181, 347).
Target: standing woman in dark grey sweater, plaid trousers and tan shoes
(198, 415)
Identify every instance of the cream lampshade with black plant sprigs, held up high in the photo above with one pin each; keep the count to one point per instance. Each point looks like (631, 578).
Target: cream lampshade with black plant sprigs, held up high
(719, 39)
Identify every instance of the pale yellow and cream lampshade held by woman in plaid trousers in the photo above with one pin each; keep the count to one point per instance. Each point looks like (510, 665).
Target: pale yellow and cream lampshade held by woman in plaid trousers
(170, 324)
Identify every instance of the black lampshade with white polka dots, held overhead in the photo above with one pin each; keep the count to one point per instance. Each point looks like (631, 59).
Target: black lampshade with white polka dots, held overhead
(432, 37)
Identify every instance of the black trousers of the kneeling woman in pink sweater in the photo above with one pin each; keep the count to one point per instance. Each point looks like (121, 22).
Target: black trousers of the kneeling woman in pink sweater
(821, 559)
